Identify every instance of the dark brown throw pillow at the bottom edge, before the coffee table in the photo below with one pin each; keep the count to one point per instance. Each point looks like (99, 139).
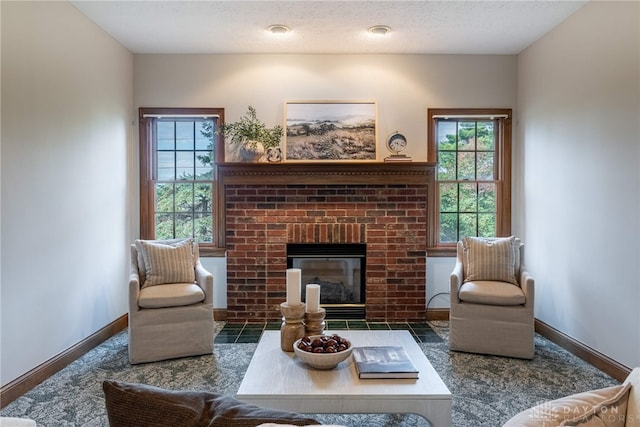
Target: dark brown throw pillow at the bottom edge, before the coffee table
(139, 405)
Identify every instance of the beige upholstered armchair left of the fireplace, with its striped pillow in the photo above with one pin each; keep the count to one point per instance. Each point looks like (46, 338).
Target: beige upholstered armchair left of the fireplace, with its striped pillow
(170, 301)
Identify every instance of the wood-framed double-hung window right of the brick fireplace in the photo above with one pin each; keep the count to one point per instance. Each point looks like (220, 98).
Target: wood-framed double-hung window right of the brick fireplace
(472, 195)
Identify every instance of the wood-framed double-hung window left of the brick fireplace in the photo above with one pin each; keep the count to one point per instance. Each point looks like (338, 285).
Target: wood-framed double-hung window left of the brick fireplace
(178, 174)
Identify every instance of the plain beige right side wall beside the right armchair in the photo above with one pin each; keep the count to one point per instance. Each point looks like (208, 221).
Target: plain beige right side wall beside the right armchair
(578, 166)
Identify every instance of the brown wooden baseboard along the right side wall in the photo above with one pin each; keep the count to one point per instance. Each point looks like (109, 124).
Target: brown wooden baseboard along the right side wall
(588, 354)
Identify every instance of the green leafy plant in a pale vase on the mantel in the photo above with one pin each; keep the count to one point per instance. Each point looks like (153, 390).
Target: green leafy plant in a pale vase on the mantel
(253, 135)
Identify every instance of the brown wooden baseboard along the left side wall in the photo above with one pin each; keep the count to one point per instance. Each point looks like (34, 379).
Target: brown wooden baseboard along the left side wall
(26, 382)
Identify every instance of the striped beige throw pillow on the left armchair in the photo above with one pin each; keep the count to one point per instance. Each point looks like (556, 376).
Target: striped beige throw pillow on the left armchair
(172, 263)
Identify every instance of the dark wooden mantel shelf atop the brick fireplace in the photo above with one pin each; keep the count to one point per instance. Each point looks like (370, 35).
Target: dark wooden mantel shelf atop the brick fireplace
(326, 173)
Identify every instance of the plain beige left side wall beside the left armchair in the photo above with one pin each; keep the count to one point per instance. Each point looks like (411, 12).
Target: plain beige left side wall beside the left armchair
(67, 133)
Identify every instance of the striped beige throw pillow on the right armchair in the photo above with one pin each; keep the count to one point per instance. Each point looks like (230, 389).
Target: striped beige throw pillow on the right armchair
(490, 259)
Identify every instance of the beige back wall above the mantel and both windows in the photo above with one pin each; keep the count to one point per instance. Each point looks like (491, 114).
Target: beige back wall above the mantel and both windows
(403, 86)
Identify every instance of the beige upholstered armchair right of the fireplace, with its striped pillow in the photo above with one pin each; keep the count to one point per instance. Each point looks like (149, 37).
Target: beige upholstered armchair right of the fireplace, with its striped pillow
(492, 298)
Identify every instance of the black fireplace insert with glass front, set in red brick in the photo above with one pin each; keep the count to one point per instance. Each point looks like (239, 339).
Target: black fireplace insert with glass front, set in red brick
(339, 269)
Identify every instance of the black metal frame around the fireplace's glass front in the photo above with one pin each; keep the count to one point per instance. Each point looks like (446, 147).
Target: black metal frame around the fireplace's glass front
(326, 251)
